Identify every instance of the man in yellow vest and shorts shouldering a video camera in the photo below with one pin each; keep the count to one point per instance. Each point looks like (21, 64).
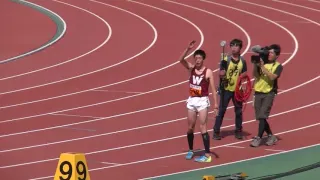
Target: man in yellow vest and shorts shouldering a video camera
(265, 89)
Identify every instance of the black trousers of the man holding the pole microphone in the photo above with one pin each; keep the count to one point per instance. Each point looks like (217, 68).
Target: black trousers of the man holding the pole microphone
(228, 95)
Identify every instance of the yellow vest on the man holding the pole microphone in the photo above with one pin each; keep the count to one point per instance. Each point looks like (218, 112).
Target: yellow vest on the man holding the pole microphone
(233, 72)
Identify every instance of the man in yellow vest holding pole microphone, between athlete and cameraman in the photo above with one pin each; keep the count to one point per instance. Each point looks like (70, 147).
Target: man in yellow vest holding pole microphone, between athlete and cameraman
(231, 68)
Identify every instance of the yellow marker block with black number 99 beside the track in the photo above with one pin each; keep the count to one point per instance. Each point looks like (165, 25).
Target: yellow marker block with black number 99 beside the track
(72, 168)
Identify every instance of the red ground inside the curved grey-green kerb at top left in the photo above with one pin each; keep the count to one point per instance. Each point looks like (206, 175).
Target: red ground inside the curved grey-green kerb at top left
(37, 27)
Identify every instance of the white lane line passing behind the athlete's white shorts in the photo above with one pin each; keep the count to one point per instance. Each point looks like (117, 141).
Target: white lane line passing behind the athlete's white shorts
(133, 112)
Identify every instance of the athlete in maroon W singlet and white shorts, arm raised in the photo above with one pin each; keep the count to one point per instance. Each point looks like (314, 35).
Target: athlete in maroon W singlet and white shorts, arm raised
(198, 102)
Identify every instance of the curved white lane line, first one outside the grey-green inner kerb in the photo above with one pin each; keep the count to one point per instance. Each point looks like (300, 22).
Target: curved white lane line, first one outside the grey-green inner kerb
(64, 62)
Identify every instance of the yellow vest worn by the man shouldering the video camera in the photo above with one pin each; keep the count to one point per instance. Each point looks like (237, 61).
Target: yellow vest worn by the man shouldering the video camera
(263, 84)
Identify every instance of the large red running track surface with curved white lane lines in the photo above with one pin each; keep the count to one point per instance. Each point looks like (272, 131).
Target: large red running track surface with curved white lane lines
(27, 126)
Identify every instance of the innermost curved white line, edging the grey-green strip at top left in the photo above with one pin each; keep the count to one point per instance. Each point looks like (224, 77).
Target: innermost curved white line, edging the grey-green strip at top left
(42, 47)
